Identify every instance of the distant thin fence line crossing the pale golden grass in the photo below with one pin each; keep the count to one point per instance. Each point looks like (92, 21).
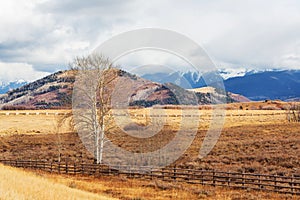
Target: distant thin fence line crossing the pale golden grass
(151, 115)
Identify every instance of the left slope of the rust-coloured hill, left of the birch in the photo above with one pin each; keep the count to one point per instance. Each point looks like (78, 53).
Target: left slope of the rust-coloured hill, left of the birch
(53, 91)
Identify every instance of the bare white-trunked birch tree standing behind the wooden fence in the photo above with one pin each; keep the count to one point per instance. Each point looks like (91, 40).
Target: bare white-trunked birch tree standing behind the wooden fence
(91, 101)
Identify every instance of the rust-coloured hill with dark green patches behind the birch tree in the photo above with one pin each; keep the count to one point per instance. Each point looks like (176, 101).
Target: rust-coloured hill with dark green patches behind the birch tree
(55, 91)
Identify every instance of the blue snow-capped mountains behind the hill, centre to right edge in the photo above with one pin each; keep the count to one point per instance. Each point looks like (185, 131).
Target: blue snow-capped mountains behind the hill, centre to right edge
(282, 85)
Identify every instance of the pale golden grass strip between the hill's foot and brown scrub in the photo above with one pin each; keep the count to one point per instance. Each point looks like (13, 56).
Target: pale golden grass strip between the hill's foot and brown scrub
(27, 122)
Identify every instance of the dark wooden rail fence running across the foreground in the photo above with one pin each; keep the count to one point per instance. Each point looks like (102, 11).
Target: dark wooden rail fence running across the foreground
(273, 183)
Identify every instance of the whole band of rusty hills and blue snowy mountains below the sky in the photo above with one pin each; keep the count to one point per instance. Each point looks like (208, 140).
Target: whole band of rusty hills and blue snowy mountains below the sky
(56, 90)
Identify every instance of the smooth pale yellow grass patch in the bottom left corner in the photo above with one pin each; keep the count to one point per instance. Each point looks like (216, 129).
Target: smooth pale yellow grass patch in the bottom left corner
(16, 184)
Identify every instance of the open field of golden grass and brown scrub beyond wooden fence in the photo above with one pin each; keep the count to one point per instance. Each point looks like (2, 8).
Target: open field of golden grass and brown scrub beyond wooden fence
(251, 141)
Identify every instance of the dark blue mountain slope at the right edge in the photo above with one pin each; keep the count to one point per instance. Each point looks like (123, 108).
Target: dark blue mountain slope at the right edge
(283, 85)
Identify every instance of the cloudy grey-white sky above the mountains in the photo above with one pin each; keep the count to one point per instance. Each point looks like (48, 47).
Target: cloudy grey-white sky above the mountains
(39, 37)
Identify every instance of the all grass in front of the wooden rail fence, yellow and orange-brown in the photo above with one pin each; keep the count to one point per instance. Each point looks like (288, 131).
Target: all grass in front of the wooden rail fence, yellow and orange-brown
(14, 185)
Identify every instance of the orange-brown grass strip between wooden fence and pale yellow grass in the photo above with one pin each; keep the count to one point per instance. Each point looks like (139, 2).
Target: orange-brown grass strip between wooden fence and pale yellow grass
(133, 189)
